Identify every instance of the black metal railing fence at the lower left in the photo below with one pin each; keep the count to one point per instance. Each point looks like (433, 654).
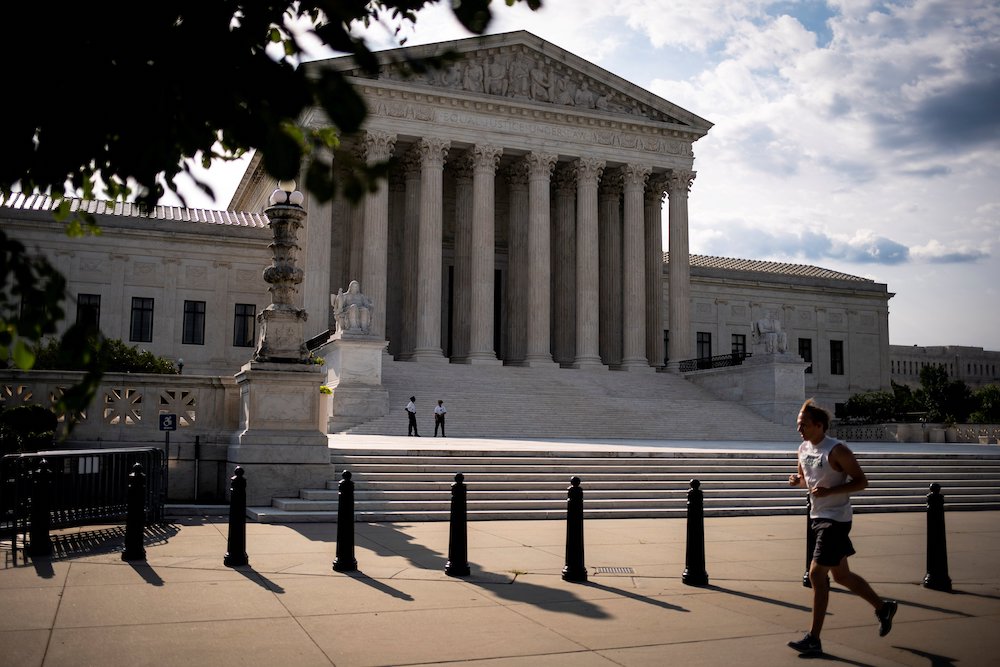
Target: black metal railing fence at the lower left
(85, 486)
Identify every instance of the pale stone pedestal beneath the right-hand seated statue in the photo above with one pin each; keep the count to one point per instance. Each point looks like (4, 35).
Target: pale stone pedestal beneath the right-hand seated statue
(774, 386)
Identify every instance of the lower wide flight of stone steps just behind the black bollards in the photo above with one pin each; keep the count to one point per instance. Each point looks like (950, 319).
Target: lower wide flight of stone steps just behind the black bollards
(412, 485)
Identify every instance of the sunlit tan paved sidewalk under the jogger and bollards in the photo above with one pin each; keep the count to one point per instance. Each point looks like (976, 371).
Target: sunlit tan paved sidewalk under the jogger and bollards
(288, 607)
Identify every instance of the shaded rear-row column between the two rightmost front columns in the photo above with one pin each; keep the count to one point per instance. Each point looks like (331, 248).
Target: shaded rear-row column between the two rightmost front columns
(653, 217)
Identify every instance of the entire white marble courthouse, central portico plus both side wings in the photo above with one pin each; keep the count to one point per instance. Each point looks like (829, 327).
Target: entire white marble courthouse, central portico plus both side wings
(521, 225)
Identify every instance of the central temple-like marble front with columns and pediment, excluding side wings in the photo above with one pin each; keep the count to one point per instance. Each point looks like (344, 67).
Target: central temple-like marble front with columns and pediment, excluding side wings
(539, 179)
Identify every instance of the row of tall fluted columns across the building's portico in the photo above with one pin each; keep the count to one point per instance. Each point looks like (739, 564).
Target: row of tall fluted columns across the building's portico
(590, 223)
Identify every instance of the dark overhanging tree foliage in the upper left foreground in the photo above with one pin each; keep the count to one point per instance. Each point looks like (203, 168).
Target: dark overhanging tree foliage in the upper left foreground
(138, 96)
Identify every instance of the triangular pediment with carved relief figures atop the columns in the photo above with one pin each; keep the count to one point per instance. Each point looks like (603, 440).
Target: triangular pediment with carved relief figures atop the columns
(521, 67)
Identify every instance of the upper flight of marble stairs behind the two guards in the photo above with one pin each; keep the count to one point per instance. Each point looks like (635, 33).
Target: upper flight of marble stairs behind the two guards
(512, 402)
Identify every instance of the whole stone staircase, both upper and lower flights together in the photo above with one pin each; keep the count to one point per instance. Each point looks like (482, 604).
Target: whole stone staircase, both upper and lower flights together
(511, 480)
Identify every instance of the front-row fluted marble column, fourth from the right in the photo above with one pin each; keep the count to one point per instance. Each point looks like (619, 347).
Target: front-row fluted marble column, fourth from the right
(539, 351)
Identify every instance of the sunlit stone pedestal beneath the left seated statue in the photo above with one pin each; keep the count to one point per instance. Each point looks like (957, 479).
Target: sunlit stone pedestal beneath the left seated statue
(355, 375)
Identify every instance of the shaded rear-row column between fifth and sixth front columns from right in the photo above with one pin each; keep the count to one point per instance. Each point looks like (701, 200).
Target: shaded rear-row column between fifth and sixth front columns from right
(462, 169)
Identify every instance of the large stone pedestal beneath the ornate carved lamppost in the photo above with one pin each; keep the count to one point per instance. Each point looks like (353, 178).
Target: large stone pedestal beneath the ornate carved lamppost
(279, 444)
